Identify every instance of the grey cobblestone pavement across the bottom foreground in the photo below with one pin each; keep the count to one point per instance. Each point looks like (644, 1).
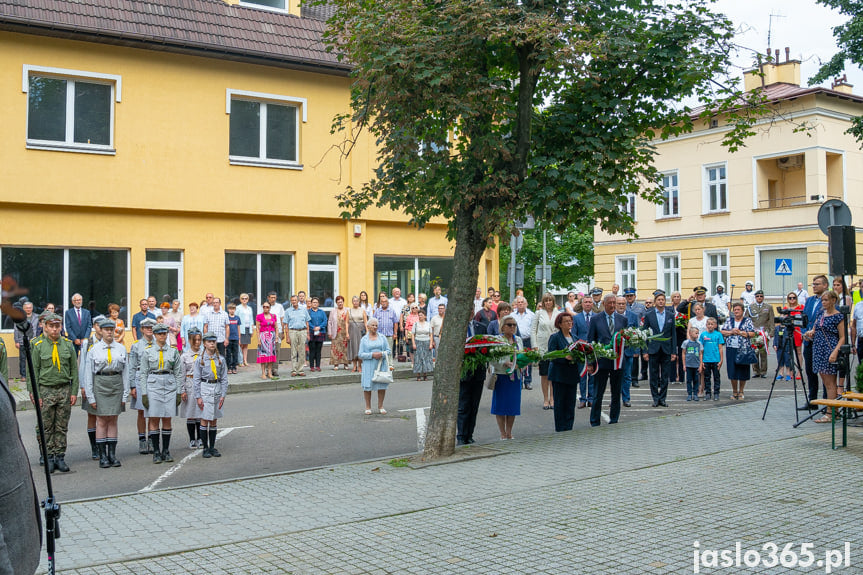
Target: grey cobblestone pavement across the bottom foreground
(631, 498)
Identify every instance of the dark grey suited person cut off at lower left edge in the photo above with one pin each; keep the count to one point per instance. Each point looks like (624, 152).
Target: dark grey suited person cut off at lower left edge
(20, 522)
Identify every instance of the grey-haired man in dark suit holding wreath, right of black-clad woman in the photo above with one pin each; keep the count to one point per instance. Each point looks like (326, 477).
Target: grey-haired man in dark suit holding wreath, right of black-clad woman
(602, 329)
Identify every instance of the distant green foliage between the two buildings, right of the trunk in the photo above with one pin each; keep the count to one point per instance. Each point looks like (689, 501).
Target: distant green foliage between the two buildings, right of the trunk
(562, 251)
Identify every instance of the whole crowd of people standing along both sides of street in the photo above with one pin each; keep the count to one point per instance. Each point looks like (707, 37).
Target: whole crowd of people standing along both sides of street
(178, 364)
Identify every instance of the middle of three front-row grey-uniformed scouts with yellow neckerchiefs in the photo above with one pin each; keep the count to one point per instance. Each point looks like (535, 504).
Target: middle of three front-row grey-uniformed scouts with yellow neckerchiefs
(160, 380)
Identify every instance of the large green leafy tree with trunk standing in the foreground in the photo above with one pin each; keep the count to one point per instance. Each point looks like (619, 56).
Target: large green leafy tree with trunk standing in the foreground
(485, 110)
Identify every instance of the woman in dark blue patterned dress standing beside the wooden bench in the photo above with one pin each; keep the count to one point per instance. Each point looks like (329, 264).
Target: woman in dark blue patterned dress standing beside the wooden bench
(827, 336)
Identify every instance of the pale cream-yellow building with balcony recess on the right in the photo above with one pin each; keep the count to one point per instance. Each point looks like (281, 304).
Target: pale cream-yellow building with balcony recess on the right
(734, 217)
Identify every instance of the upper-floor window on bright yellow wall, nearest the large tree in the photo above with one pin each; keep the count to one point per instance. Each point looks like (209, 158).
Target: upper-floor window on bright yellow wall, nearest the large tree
(265, 129)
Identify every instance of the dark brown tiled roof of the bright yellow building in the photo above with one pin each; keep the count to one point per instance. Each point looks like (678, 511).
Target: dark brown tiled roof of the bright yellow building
(209, 28)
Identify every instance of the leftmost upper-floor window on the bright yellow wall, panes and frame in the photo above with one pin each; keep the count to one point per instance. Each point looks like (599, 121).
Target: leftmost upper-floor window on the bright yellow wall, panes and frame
(70, 110)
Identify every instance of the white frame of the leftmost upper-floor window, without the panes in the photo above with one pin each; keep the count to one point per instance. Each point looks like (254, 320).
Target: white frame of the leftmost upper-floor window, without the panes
(71, 76)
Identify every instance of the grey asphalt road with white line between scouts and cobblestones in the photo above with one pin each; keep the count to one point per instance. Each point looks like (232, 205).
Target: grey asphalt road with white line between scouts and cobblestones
(283, 431)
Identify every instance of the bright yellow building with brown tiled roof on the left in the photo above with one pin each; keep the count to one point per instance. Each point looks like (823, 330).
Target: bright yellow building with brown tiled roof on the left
(180, 147)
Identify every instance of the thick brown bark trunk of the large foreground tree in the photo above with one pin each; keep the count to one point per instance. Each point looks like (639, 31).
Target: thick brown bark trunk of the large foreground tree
(469, 247)
